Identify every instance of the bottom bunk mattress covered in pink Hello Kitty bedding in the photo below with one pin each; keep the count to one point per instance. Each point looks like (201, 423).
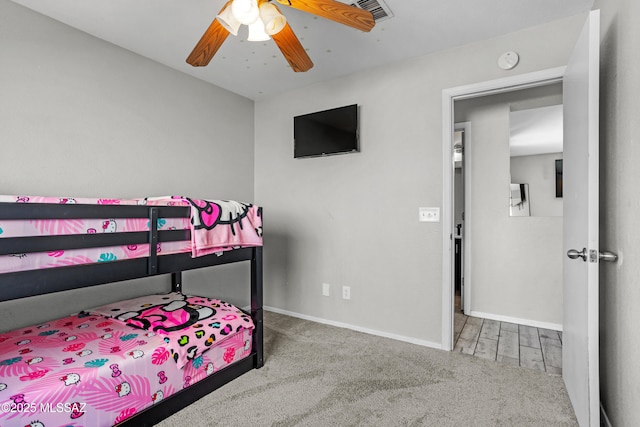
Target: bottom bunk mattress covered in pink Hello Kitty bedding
(104, 365)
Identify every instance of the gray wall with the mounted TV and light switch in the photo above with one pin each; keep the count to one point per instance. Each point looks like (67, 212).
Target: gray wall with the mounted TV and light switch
(353, 219)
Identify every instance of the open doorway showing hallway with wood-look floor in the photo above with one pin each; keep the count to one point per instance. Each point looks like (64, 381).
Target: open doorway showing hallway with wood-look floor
(508, 306)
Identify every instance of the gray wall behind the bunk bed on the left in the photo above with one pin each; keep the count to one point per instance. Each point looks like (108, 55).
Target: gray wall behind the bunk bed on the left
(82, 117)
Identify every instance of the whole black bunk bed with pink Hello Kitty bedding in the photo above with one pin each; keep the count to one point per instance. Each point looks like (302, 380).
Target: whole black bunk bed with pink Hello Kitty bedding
(118, 337)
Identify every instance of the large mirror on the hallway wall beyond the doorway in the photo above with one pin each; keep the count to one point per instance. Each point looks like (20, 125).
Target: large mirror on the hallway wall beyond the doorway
(535, 146)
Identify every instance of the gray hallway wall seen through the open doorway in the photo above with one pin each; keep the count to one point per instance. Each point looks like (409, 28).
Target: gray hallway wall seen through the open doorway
(516, 262)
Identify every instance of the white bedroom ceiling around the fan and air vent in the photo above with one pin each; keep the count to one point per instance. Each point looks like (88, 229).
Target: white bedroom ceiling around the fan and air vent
(167, 30)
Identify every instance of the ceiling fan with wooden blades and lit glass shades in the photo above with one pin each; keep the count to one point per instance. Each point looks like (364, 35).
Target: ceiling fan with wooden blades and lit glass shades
(265, 20)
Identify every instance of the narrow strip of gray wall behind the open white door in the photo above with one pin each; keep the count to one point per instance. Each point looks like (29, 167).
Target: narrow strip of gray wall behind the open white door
(619, 196)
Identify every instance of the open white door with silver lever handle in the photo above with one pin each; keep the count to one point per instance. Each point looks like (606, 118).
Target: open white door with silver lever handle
(580, 359)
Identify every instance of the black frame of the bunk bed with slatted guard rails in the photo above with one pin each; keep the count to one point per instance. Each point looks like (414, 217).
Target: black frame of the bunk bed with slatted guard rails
(37, 282)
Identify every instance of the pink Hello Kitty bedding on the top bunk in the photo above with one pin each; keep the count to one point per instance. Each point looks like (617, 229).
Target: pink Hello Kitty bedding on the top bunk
(215, 225)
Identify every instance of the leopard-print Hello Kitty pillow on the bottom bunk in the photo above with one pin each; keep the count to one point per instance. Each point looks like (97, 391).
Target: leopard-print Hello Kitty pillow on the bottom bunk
(190, 325)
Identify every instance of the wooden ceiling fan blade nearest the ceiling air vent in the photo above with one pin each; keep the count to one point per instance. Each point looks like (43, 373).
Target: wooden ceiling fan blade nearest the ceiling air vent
(334, 10)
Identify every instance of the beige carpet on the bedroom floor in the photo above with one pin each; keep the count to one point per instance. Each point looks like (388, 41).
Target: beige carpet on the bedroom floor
(318, 375)
